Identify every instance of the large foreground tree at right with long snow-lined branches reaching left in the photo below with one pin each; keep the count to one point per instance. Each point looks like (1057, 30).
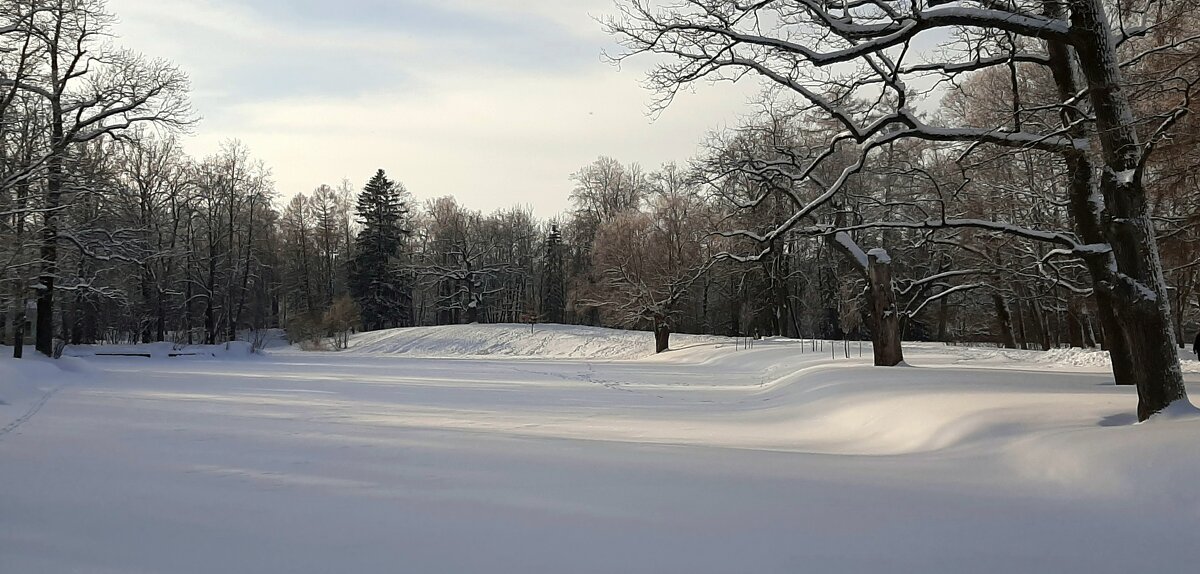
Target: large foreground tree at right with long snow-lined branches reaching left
(835, 55)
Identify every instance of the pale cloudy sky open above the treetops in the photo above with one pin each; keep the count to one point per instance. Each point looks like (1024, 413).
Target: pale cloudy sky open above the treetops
(494, 101)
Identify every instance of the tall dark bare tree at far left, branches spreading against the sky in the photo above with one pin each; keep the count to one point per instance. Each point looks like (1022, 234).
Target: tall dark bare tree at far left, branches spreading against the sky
(87, 92)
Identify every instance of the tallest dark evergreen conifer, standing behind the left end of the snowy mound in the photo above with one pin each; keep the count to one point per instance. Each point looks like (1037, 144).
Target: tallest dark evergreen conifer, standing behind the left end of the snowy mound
(379, 282)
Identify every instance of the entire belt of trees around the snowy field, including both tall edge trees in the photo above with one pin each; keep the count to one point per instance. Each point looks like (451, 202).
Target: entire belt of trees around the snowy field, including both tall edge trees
(1048, 199)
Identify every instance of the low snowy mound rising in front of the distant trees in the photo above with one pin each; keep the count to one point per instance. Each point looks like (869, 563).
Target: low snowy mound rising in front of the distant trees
(519, 340)
